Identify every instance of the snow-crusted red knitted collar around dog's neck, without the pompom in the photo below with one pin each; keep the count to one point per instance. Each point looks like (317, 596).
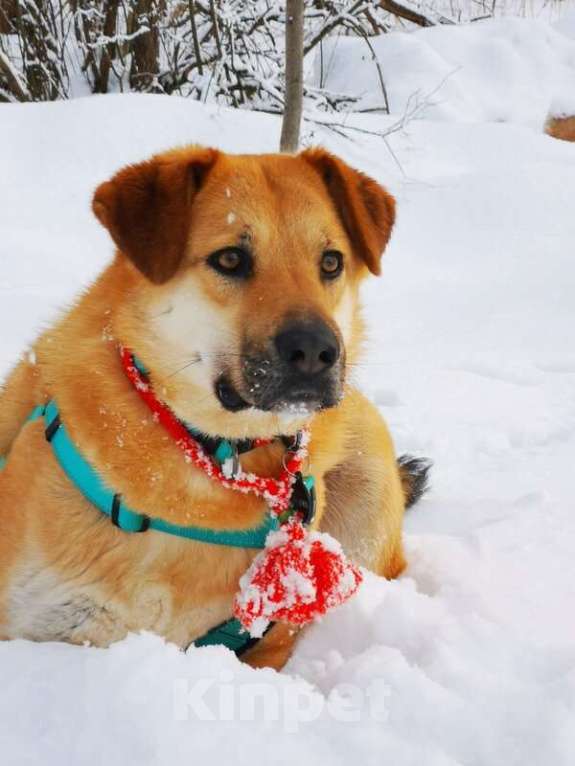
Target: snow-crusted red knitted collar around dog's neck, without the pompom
(276, 492)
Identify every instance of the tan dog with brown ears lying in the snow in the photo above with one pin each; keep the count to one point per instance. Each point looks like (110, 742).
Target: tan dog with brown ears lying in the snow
(235, 285)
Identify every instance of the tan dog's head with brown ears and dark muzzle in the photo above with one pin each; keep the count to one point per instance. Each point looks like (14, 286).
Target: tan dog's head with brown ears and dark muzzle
(244, 299)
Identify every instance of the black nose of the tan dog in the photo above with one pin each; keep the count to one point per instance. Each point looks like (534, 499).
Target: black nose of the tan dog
(309, 348)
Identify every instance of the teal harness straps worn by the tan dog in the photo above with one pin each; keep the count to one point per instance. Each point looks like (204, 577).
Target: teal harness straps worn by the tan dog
(229, 633)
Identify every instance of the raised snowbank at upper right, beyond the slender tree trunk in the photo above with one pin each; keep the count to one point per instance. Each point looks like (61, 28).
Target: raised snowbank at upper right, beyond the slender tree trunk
(497, 70)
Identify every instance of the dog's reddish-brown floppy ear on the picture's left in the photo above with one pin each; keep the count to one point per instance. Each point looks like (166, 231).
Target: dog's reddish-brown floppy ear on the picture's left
(146, 208)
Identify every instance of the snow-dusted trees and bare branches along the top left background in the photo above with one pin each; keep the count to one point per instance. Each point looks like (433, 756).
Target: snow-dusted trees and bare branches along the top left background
(228, 51)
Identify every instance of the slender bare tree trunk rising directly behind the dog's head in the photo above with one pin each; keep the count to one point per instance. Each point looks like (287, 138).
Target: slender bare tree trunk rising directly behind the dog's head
(294, 77)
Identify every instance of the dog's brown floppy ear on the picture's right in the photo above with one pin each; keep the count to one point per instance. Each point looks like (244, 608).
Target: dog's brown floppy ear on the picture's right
(366, 209)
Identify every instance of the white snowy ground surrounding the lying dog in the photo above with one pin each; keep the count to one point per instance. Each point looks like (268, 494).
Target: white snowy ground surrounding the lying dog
(470, 657)
